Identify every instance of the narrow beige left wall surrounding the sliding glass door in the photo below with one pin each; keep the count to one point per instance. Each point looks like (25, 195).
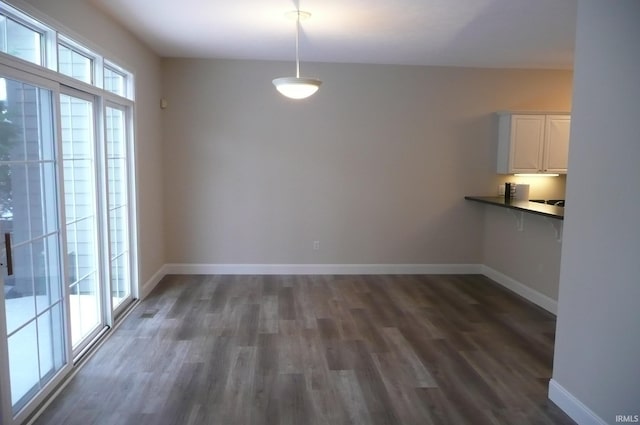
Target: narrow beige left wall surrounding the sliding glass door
(90, 26)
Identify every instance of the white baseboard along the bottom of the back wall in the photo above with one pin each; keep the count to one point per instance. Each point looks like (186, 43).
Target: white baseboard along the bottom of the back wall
(289, 269)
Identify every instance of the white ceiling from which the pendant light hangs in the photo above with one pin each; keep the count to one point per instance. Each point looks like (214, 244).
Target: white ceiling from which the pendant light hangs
(475, 33)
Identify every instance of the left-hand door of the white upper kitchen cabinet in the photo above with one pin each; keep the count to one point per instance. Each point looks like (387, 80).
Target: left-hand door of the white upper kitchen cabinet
(527, 143)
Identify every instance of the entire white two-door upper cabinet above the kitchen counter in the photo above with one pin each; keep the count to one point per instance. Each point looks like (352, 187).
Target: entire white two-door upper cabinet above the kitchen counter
(533, 143)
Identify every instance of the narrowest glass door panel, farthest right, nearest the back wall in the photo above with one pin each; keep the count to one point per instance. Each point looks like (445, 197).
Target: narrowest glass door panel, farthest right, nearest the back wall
(118, 205)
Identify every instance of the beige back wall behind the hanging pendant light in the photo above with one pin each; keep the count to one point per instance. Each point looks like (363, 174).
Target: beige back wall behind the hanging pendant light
(374, 166)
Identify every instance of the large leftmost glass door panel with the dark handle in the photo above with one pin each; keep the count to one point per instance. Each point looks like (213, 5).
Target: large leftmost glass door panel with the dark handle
(32, 280)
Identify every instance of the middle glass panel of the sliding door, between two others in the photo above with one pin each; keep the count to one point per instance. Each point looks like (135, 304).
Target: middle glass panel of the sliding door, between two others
(79, 165)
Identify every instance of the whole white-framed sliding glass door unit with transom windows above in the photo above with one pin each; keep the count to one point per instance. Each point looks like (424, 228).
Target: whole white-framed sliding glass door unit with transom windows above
(67, 220)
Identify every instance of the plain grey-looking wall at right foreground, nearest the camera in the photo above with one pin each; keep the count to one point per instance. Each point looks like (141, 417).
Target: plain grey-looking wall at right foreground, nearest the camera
(596, 370)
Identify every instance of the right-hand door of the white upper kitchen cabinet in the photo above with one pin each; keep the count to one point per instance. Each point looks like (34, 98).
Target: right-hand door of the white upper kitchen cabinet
(556, 150)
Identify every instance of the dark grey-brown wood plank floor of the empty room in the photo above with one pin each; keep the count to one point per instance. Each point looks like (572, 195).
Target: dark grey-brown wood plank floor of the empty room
(320, 350)
